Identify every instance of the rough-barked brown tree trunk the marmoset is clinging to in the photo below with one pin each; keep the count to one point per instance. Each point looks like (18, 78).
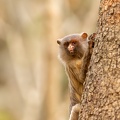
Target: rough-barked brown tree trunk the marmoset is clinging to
(101, 96)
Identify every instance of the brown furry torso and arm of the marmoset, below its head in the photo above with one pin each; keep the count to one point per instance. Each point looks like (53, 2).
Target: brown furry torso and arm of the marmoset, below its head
(76, 73)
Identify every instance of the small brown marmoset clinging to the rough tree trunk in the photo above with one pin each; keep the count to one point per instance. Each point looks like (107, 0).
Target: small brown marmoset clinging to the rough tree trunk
(75, 54)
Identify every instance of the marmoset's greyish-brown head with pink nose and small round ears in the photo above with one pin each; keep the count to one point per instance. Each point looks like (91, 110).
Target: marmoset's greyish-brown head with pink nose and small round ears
(72, 46)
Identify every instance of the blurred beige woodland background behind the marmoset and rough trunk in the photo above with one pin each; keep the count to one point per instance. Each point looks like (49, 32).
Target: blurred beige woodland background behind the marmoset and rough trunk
(33, 84)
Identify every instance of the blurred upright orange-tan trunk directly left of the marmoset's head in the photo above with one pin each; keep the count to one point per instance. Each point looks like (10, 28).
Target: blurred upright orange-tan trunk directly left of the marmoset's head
(53, 84)
